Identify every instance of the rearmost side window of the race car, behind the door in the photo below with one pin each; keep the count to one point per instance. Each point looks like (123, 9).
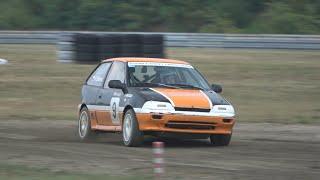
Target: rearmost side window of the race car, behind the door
(96, 78)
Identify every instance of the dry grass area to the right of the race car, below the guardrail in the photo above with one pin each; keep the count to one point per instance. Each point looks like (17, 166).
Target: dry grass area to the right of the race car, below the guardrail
(264, 85)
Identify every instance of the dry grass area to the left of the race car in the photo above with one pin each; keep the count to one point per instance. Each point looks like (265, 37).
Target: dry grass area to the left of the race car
(35, 86)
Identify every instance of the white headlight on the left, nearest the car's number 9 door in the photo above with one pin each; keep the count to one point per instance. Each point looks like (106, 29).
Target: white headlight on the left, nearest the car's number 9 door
(157, 107)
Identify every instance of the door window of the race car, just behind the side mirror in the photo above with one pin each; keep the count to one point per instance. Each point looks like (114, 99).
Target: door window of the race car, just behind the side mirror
(117, 72)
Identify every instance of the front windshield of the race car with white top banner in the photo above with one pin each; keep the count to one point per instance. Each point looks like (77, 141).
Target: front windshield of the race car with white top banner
(149, 74)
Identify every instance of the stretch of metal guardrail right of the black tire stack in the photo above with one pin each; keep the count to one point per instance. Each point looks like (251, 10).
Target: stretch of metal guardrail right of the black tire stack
(243, 41)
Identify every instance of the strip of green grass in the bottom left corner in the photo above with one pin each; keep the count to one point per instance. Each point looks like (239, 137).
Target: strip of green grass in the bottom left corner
(19, 172)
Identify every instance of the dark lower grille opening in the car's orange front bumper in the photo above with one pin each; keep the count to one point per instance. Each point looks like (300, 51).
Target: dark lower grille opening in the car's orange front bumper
(190, 125)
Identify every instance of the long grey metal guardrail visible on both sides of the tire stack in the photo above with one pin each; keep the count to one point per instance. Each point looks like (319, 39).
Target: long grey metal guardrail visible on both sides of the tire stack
(206, 40)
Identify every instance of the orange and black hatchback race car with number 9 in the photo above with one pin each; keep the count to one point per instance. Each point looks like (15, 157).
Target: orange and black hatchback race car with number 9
(149, 96)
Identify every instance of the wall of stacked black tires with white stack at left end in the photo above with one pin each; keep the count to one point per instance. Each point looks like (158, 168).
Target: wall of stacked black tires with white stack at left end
(92, 48)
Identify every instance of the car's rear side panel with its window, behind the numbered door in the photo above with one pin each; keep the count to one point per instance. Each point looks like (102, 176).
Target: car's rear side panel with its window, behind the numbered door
(92, 86)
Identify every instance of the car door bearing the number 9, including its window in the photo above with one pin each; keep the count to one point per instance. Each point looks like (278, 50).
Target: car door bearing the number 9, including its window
(110, 98)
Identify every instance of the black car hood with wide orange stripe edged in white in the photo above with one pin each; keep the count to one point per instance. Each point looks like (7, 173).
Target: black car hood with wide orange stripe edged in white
(184, 98)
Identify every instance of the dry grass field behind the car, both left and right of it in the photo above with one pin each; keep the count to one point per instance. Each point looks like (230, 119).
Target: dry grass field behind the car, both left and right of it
(264, 85)
